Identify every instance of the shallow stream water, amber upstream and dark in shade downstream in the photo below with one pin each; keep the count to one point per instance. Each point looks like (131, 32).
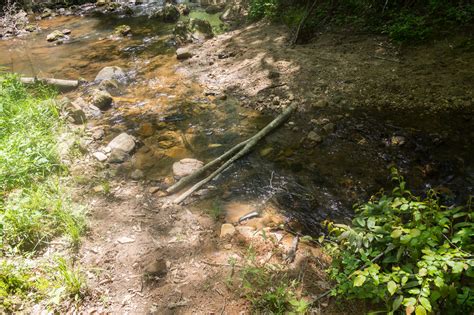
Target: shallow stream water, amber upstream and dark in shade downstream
(174, 119)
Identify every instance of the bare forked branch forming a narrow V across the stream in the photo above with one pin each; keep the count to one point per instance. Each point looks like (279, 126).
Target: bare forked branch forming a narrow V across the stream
(246, 148)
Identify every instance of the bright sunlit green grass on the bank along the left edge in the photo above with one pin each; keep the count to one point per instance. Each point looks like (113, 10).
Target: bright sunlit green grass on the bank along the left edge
(35, 200)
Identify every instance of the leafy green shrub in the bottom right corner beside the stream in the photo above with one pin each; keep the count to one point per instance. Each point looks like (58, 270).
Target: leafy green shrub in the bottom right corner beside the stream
(406, 250)
